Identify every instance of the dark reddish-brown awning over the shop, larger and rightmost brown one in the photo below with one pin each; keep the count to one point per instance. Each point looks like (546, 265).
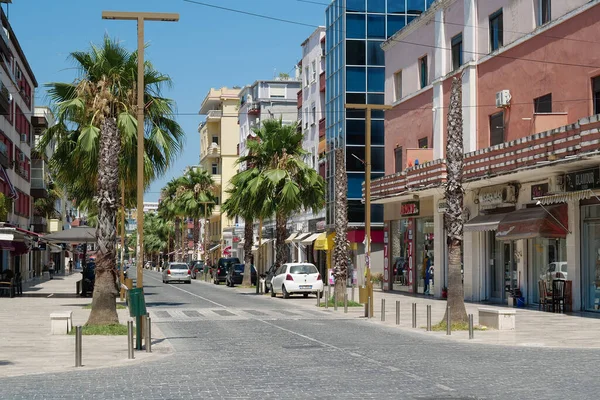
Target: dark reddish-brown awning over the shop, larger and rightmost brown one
(528, 223)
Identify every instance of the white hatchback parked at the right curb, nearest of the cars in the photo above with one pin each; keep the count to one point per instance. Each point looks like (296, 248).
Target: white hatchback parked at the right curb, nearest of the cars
(295, 278)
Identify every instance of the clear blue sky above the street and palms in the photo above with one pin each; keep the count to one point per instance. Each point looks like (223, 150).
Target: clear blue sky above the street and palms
(206, 48)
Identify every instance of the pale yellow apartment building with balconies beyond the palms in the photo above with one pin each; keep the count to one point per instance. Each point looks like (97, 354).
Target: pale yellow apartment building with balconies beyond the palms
(219, 140)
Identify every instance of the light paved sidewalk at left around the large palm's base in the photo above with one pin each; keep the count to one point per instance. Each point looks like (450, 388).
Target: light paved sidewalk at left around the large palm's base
(29, 348)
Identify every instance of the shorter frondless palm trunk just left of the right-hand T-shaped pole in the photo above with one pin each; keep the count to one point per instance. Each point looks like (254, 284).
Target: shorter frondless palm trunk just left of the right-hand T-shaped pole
(341, 244)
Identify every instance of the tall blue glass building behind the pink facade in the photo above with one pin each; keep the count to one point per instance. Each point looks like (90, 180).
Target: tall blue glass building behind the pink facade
(355, 71)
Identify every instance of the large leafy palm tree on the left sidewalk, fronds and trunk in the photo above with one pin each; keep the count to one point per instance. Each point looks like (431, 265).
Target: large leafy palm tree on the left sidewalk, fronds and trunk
(95, 132)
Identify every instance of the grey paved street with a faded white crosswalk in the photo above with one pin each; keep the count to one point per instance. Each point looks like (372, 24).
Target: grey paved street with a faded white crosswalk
(234, 345)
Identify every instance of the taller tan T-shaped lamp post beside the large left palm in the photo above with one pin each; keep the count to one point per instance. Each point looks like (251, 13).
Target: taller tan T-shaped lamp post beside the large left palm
(140, 17)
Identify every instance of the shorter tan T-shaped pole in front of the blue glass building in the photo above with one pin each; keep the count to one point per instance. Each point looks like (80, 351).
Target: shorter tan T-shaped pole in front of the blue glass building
(368, 108)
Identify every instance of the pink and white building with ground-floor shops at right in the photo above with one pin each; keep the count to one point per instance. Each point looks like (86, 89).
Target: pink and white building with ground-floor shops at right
(530, 131)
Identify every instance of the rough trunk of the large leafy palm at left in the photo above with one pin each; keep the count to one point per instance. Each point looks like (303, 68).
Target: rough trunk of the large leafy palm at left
(104, 305)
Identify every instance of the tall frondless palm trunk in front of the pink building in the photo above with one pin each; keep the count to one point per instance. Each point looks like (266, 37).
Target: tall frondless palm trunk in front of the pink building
(453, 218)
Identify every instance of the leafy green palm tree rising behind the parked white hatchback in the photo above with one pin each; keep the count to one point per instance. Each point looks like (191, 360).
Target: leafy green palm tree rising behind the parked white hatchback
(283, 177)
